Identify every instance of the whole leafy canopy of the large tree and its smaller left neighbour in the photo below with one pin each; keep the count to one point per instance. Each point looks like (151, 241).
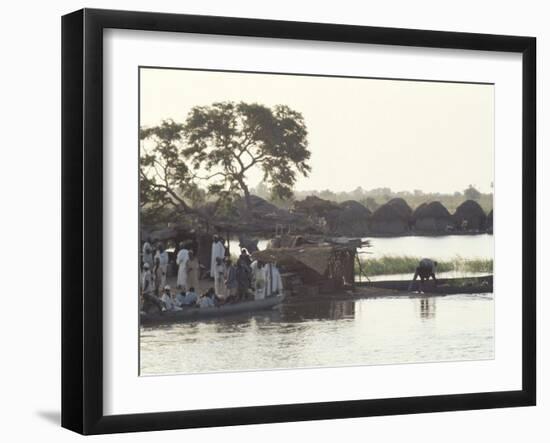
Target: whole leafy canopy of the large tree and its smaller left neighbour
(213, 150)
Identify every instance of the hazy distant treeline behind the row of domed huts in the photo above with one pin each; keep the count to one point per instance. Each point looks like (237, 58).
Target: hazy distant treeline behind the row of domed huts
(374, 198)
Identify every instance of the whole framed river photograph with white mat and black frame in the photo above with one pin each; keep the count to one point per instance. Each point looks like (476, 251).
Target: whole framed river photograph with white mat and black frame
(269, 221)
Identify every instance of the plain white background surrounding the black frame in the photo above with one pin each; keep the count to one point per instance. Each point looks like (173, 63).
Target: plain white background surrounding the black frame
(30, 235)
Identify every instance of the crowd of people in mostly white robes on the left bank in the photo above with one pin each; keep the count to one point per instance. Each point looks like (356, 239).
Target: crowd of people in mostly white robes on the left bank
(244, 279)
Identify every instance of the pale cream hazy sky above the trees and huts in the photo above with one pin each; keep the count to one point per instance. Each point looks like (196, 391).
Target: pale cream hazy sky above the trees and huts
(405, 135)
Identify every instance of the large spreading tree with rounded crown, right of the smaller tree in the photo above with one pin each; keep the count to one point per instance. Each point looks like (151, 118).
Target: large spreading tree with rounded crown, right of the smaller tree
(227, 140)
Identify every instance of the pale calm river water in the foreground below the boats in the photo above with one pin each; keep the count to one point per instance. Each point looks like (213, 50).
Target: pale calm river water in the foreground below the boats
(303, 333)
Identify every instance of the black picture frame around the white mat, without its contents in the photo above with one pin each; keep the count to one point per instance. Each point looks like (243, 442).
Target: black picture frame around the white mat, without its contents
(82, 218)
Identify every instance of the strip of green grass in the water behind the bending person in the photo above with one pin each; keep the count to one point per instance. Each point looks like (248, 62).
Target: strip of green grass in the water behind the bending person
(391, 264)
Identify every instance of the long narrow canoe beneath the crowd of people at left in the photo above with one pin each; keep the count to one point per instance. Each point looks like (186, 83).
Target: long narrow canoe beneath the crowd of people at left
(196, 313)
